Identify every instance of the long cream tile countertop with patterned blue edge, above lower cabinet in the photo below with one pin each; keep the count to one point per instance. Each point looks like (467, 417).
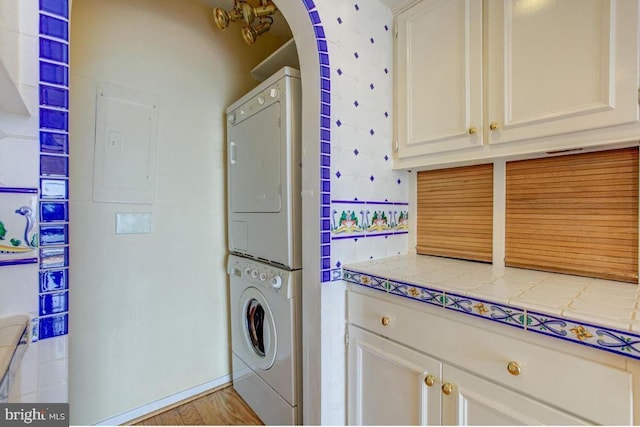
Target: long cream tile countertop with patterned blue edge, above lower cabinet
(603, 314)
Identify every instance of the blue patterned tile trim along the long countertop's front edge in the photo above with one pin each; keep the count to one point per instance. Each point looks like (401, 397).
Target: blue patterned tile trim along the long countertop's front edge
(623, 343)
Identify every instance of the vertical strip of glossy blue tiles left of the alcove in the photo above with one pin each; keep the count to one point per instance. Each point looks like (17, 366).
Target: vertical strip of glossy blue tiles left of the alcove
(54, 170)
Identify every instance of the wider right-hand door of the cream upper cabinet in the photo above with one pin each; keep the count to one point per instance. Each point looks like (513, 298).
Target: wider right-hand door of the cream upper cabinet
(556, 67)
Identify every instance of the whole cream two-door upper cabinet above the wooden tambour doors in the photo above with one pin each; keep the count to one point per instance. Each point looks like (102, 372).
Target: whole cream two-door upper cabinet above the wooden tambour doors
(477, 79)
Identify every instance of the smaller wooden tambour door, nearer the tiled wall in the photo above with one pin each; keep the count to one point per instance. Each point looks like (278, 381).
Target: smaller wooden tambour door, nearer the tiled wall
(455, 213)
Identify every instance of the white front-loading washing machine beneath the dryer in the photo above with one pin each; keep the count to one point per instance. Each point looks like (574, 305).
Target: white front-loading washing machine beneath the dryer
(266, 337)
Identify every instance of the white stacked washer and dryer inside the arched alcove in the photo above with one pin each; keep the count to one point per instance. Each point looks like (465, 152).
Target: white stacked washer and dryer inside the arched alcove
(264, 226)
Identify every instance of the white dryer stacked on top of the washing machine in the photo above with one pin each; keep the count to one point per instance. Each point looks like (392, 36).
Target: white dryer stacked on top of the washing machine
(264, 169)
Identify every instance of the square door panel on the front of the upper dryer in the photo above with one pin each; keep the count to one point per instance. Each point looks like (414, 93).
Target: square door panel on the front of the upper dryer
(254, 162)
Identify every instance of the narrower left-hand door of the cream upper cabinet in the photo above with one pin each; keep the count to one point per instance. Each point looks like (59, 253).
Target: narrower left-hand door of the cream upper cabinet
(438, 77)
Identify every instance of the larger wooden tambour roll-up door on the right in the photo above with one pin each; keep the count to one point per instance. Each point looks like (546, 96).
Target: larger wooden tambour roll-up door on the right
(575, 214)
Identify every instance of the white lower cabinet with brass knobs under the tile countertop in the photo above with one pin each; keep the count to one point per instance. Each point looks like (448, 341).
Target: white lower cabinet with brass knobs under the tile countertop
(411, 365)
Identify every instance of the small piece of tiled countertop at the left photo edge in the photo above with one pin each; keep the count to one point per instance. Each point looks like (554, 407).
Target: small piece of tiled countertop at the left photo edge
(13, 333)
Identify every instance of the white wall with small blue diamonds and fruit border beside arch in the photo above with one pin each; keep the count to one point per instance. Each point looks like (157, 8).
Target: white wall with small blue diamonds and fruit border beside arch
(367, 212)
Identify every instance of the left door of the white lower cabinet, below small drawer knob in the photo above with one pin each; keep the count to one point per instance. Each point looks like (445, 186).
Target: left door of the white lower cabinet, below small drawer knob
(387, 383)
